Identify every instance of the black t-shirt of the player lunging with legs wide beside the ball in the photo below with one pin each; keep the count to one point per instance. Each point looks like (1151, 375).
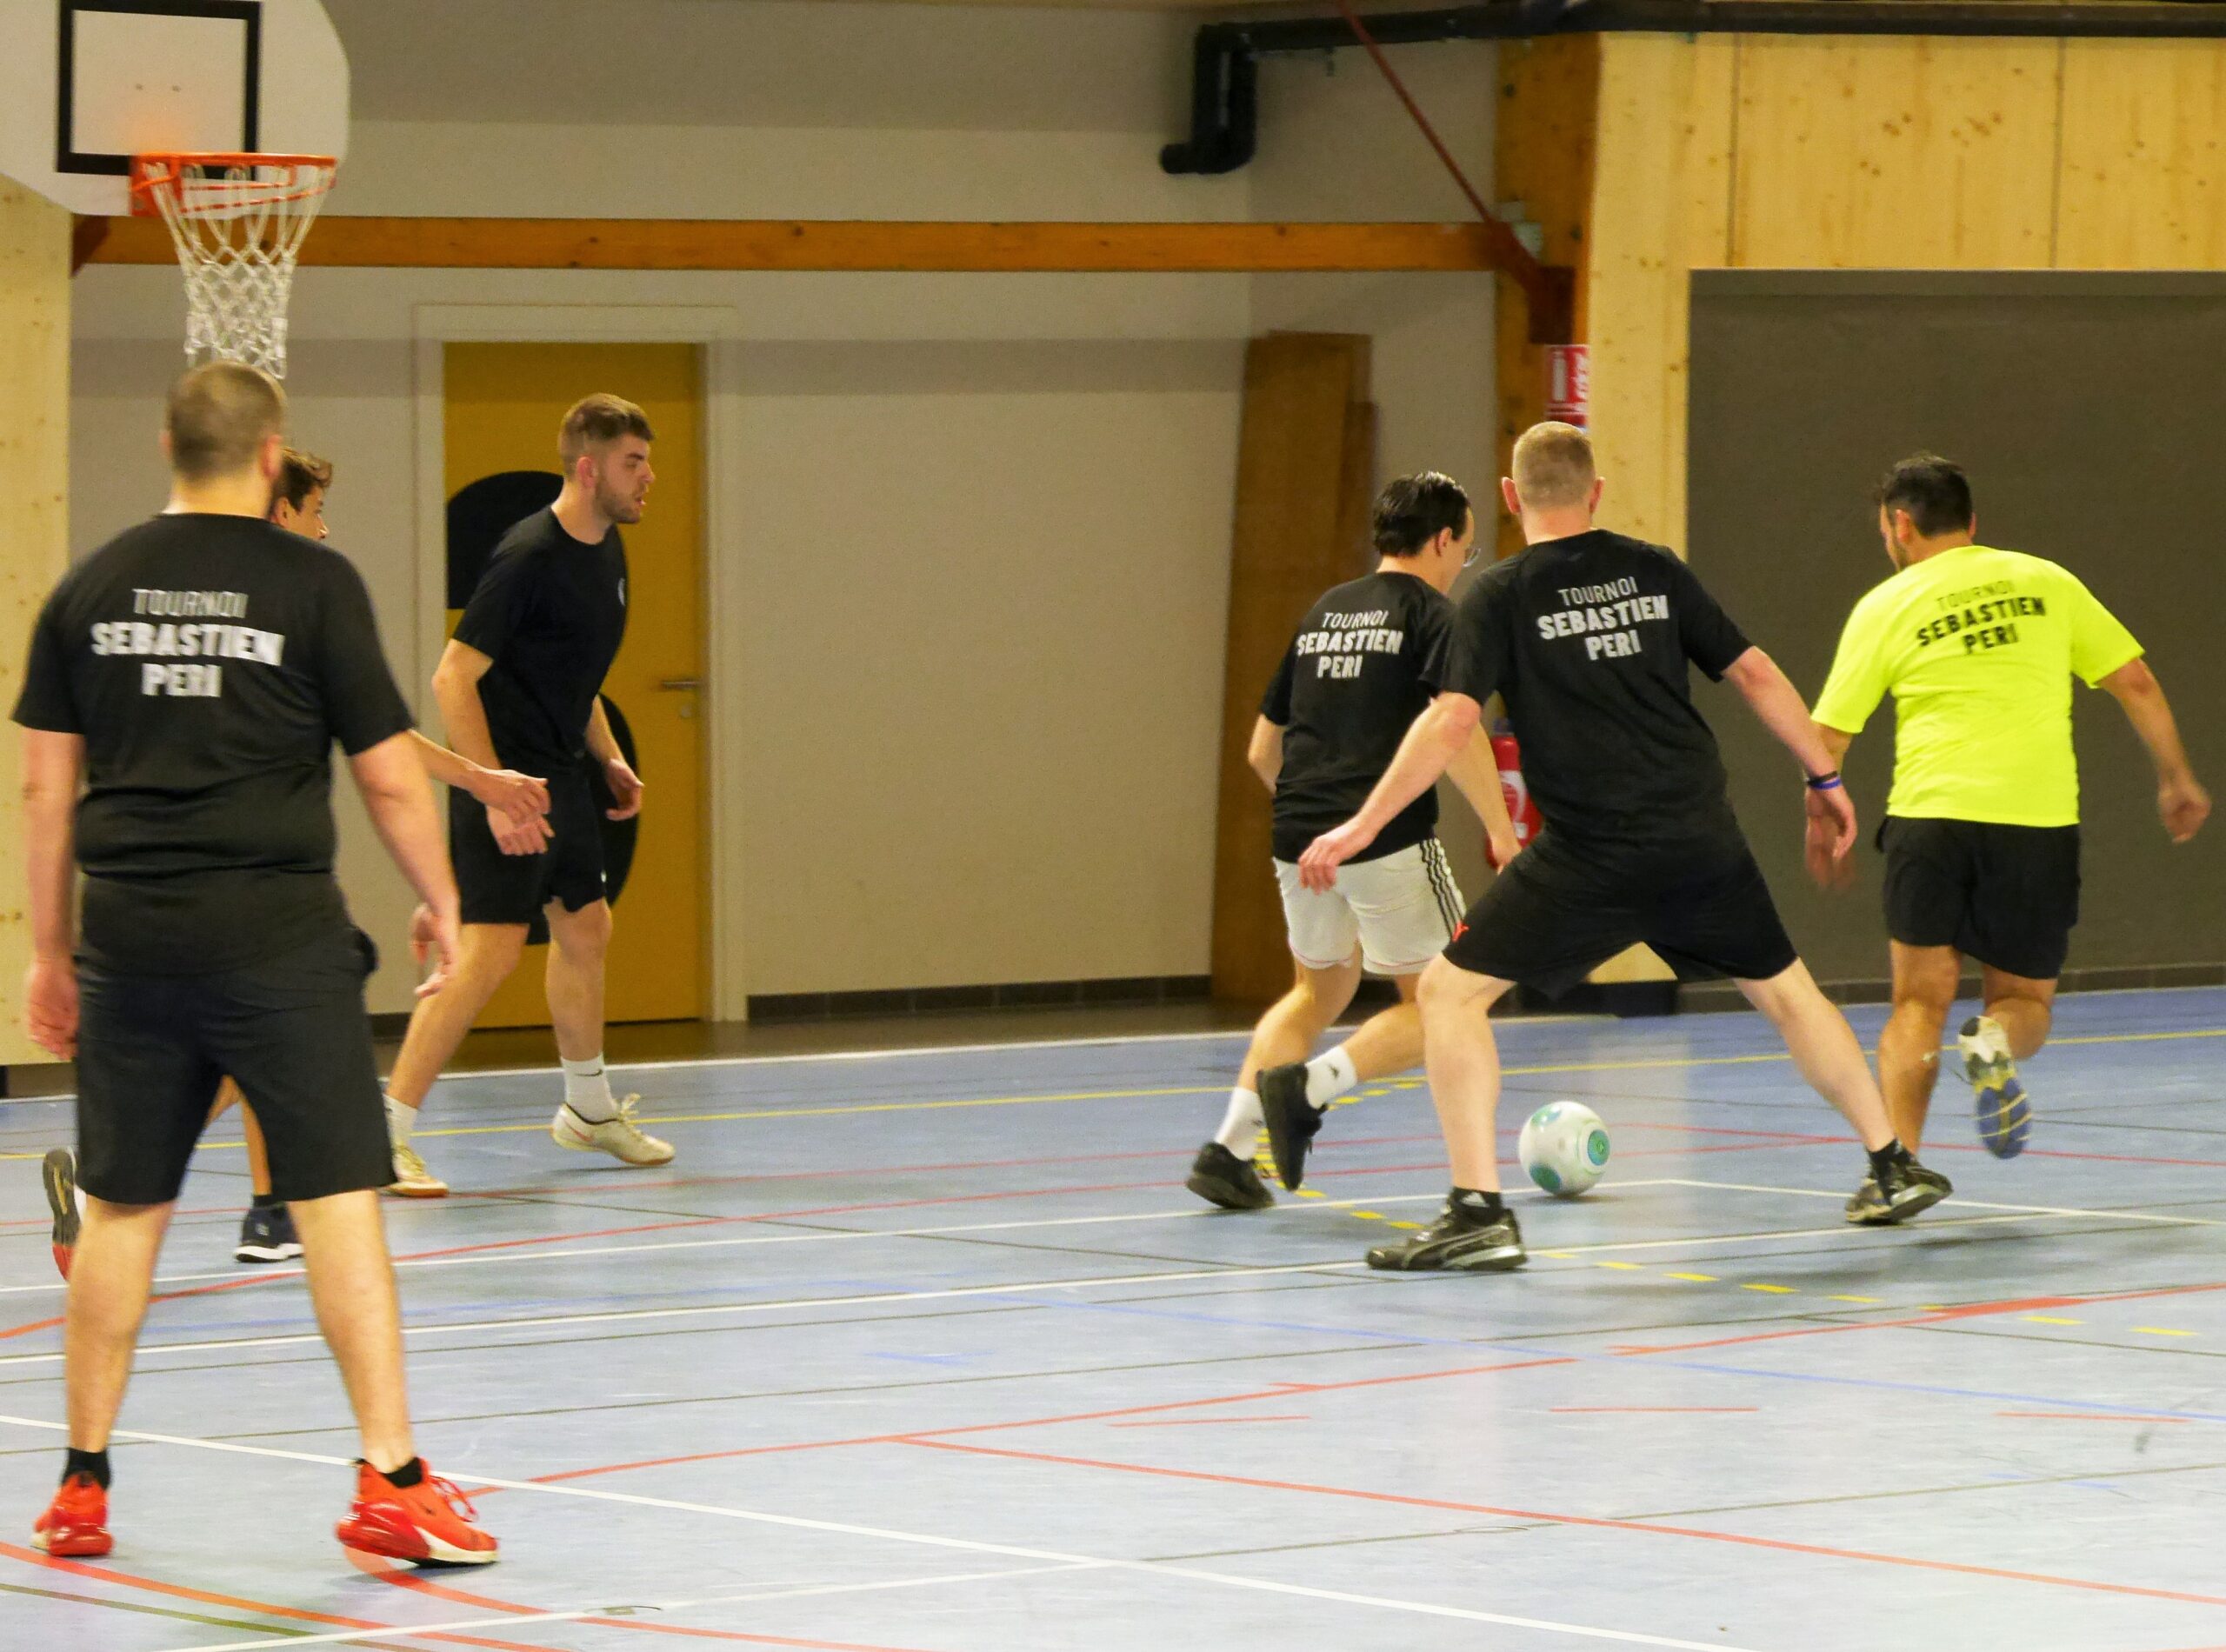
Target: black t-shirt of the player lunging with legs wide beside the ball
(1588, 642)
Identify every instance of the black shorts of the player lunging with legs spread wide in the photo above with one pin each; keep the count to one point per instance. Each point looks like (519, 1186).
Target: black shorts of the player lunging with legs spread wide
(1562, 909)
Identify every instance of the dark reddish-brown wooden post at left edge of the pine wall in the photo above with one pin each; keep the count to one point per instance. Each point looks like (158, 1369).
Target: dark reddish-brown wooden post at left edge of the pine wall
(1544, 157)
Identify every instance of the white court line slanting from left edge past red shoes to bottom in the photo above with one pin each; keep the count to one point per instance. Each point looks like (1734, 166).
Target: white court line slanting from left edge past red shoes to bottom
(969, 1546)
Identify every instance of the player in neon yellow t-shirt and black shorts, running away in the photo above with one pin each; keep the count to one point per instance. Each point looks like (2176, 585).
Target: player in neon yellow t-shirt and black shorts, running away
(1982, 834)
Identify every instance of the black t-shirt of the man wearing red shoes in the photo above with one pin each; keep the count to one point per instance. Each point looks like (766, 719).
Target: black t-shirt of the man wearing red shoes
(208, 662)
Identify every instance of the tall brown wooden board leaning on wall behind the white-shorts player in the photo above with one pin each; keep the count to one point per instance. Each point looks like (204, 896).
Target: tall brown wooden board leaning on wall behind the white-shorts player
(1306, 469)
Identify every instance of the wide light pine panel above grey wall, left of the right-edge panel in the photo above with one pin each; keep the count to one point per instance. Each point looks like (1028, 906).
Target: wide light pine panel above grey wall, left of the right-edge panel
(1893, 153)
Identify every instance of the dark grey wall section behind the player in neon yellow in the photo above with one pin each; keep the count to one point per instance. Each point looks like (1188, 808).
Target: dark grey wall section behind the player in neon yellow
(2089, 415)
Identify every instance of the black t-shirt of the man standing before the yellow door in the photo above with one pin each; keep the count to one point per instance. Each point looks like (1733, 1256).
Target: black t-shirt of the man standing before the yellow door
(551, 613)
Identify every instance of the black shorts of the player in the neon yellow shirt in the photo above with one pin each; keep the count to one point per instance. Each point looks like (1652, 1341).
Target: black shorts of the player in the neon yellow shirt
(2007, 896)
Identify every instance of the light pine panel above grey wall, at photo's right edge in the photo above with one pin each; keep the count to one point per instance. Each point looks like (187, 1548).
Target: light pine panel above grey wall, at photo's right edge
(2145, 155)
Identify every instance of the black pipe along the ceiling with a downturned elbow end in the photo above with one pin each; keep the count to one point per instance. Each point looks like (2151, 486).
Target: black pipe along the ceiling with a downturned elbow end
(1225, 90)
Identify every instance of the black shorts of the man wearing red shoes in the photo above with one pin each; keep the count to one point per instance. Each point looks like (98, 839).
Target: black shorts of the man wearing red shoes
(290, 1030)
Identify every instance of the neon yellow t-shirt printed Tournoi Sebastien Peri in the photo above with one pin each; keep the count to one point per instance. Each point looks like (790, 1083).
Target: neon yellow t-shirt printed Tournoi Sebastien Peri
(1978, 649)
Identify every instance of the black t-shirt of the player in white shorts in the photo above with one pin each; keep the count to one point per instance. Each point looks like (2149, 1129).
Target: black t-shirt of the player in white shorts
(1346, 696)
